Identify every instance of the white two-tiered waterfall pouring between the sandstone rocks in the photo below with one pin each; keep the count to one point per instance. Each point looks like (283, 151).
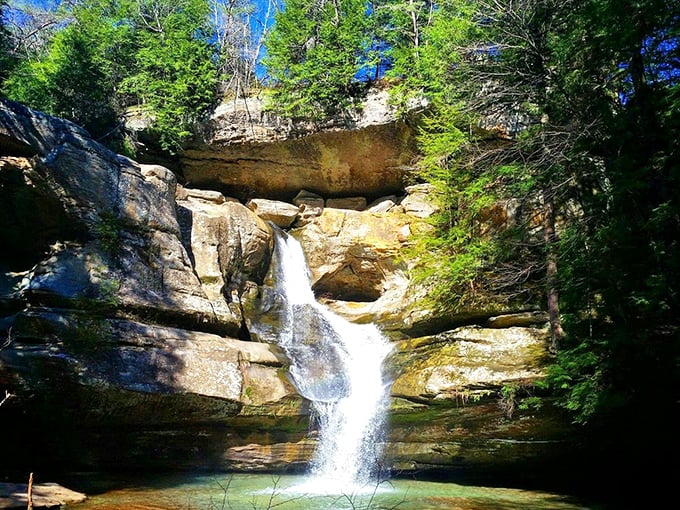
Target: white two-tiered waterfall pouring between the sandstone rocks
(338, 366)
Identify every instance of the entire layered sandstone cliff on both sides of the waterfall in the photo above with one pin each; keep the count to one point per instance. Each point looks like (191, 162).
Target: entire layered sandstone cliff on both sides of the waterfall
(139, 312)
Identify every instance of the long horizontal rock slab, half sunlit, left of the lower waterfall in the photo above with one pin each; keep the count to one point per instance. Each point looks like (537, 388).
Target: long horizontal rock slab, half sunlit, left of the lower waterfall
(154, 361)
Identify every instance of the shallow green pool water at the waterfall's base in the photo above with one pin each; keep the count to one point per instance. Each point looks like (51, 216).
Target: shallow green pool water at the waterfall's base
(289, 492)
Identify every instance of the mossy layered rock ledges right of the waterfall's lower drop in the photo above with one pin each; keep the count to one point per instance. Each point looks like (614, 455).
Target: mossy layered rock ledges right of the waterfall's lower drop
(467, 399)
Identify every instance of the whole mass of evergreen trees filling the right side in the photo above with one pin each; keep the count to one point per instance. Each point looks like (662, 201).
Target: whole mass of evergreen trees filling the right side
(568, 107)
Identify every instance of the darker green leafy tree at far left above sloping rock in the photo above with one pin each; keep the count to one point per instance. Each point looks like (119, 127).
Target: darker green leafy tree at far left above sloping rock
(76, 73)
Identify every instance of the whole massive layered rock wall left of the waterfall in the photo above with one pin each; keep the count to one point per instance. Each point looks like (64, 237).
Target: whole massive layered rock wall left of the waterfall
(122, 301)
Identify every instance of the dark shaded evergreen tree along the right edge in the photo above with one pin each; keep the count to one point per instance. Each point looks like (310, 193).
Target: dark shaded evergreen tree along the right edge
(622, 259)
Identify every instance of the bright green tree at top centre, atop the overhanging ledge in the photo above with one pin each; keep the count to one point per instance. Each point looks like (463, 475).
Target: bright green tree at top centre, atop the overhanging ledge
(317, 53)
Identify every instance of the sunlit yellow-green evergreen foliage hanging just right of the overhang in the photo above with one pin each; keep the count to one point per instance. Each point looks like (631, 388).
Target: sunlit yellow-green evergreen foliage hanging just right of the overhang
(463, 259)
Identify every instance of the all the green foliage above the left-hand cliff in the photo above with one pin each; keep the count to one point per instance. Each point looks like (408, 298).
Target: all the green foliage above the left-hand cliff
(113, 54)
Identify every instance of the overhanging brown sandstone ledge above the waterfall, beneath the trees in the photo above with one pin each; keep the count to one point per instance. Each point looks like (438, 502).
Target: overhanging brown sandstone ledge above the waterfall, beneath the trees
(246, 152)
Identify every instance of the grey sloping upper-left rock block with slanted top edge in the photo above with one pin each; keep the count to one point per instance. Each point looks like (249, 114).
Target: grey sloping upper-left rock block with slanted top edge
(120, 245)
